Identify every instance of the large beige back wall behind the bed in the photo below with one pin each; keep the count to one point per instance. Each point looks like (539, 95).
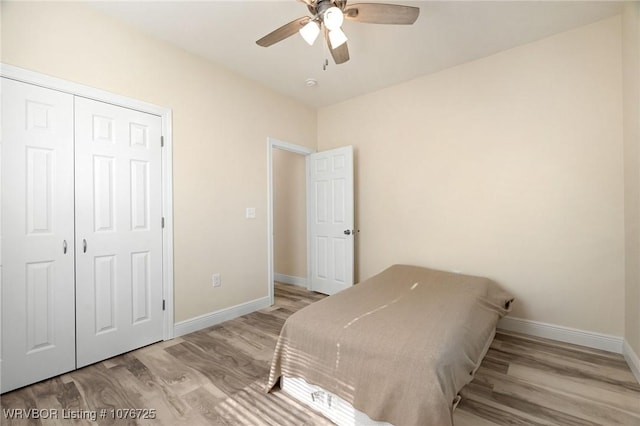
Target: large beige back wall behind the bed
(510, 167)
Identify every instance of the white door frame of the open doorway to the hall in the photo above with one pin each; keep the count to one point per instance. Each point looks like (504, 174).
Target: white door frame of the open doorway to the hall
(273, 143)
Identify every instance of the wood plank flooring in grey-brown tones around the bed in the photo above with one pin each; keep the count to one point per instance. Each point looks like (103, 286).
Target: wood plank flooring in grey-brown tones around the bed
(216, 376)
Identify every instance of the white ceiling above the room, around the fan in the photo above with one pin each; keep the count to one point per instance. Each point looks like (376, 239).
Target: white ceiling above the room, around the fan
(446, 33)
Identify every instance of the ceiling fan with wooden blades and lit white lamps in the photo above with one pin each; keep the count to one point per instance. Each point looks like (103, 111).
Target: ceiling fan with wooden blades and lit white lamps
(329, 16)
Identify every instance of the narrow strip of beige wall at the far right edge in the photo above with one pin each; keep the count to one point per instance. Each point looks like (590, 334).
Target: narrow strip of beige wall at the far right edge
(631, 75)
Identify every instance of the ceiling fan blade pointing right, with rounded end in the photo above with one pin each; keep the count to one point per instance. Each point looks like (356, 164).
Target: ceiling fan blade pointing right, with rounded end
(382, 13)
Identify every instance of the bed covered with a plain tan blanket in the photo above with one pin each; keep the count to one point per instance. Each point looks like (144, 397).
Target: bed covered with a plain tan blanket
(397, 347)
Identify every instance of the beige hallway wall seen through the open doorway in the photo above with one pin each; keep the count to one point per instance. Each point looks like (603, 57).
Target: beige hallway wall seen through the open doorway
(289, 214)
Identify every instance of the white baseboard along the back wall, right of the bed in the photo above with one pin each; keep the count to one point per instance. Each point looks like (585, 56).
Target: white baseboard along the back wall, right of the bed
(564, 334)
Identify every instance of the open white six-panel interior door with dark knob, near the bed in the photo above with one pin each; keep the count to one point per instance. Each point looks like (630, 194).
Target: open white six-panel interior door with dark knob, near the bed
(330, 189)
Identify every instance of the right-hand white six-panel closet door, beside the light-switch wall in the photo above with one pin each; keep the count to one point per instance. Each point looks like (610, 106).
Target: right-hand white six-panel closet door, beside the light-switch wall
(118, 230)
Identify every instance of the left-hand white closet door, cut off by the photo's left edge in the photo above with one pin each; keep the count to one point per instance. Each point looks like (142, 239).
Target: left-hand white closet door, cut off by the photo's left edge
(38, 315)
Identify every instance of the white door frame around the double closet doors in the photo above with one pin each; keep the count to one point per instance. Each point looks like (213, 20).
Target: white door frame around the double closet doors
(76, 89)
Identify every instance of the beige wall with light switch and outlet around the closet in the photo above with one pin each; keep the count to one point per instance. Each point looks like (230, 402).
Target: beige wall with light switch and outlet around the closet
(219, 161)
